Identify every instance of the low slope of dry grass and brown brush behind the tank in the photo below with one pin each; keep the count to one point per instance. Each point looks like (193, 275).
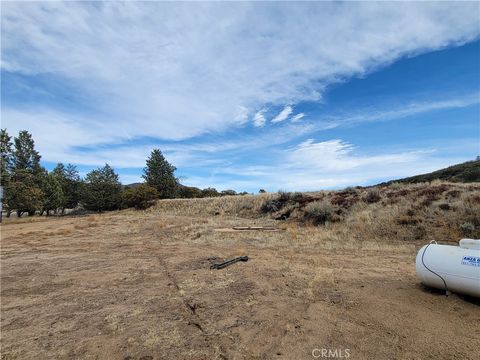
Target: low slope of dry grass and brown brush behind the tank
(441, 211)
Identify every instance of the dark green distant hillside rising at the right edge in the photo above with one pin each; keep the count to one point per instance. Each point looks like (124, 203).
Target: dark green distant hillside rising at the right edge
(465, 172)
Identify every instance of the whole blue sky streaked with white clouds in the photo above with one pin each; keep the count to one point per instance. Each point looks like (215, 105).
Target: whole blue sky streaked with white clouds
(294, 96)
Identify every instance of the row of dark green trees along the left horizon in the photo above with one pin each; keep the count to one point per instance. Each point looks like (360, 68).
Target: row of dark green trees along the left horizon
(30, 189)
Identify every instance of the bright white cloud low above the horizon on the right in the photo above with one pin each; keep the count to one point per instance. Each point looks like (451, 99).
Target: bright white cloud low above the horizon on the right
(334, 164)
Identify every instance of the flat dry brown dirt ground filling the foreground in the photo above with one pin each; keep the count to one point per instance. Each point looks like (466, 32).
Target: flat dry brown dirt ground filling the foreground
(137, 285)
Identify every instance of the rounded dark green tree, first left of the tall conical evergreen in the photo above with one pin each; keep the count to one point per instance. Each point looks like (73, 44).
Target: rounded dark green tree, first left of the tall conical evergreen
(102, 190)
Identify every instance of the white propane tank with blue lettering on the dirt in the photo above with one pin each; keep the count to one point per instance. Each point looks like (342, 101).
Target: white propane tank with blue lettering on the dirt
(452, 268)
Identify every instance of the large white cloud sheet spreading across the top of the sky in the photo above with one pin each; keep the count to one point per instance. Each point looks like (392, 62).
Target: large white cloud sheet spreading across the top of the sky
(178, 70)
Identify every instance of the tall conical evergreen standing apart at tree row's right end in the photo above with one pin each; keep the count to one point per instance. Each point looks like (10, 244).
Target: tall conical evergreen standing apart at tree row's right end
(159, 174)
